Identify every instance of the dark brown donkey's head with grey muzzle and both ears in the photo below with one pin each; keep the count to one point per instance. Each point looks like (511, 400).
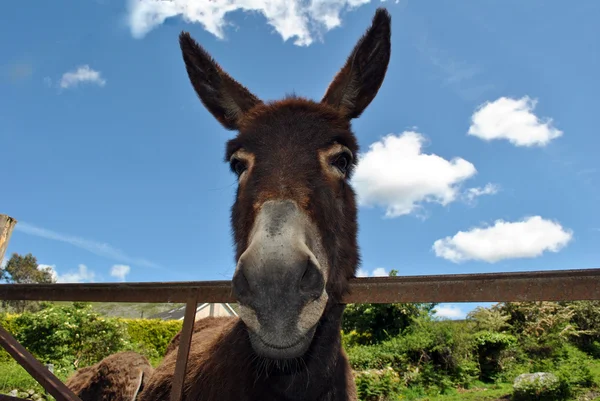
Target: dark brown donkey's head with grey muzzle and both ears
(294, 217)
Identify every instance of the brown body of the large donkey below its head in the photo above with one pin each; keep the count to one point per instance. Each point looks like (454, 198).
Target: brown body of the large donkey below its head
(222, 366)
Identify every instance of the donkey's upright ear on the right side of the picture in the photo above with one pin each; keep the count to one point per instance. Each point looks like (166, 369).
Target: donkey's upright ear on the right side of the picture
(357, 83)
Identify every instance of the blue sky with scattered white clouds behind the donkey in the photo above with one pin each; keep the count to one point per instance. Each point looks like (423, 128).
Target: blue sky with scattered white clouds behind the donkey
(479, 154)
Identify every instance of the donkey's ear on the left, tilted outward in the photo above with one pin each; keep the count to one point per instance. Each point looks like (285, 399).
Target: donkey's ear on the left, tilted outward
(223, 96)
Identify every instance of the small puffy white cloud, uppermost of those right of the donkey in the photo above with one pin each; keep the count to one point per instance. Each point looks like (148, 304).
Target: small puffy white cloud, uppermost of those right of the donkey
(513, 120)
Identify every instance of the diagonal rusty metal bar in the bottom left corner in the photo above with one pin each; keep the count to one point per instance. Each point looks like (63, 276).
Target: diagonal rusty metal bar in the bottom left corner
(38, 371)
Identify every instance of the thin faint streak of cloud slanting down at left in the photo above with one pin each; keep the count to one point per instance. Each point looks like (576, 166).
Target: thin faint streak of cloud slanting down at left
(98, 248)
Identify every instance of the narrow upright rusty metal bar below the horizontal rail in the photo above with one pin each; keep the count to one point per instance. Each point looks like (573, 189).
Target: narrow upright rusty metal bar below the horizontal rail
(183, 351)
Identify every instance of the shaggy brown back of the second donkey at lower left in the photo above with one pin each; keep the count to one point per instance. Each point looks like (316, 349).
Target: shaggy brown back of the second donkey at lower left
(118, 377)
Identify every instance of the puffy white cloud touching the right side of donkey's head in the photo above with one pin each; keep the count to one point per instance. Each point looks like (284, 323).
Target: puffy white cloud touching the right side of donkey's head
(395, 174)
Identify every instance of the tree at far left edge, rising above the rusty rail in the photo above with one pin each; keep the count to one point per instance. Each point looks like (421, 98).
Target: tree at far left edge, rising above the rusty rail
(25, 270)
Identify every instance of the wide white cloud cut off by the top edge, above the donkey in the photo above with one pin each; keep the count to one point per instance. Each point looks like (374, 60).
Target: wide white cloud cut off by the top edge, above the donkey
(298, 19)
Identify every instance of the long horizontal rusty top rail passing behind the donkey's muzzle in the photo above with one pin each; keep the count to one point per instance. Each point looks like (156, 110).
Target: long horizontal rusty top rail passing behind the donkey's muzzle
(564, 285)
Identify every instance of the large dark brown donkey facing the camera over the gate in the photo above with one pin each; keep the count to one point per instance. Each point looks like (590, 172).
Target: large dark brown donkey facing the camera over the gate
(294, 228)
